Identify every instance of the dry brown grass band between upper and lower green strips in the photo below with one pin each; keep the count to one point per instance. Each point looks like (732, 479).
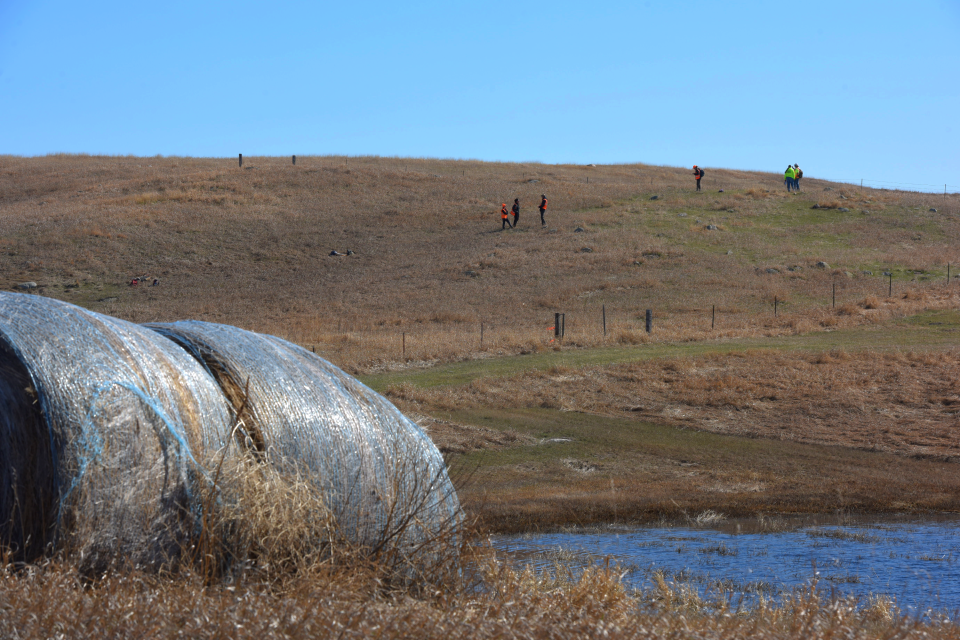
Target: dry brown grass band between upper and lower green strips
(898, 402)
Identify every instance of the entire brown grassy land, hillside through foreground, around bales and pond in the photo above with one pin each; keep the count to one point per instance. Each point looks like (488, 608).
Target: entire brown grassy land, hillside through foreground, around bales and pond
(784, 374)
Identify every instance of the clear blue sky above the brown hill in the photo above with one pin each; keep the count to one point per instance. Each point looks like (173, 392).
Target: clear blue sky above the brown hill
(850, 90)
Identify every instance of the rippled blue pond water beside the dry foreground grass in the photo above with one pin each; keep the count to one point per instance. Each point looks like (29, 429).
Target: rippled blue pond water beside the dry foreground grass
(913, 563)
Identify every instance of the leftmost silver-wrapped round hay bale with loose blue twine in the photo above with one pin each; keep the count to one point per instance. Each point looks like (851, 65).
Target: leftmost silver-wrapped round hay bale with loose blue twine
(104, 429)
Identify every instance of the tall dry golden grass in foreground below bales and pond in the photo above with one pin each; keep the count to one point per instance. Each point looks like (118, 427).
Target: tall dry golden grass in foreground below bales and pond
(49, 601)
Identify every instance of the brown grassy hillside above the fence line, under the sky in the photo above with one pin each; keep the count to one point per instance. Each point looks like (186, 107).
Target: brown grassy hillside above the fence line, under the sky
(251, 247)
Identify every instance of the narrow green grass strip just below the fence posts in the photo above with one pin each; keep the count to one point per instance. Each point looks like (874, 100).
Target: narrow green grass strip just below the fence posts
(925, 331)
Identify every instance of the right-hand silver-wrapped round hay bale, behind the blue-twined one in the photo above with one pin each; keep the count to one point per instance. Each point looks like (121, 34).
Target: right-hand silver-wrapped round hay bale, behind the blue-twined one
(381, 476)
